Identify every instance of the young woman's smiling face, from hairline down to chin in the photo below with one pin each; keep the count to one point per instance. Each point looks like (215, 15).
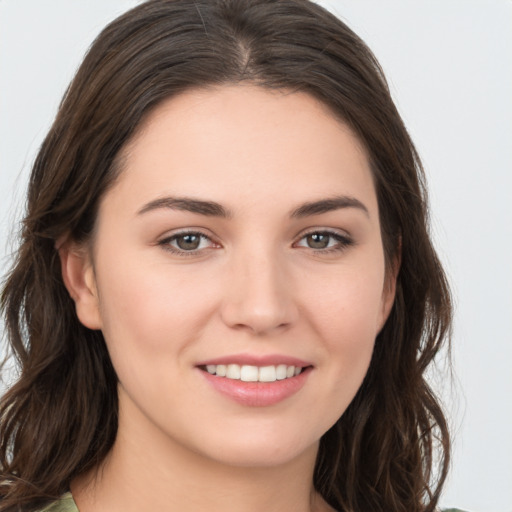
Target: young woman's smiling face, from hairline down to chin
(242, 237)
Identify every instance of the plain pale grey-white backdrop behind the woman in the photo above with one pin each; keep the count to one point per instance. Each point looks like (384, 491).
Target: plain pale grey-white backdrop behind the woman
(449, 66)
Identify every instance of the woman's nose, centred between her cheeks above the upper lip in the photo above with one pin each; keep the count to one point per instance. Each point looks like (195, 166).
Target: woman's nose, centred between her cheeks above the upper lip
(258, 295)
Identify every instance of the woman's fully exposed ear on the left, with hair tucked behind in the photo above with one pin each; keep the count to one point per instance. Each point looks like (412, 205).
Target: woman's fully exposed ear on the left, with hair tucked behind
(78, 276)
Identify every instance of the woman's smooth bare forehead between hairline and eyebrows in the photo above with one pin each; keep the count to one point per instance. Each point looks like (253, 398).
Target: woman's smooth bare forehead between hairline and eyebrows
(227, 139)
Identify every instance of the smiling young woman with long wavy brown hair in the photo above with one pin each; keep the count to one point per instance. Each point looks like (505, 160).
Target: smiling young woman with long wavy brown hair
(225, 296)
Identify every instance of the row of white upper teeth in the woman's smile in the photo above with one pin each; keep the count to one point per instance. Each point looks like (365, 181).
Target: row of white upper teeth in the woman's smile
(249, 373)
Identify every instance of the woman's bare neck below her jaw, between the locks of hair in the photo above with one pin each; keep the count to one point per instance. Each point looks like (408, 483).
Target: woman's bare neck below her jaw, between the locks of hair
(148, 471)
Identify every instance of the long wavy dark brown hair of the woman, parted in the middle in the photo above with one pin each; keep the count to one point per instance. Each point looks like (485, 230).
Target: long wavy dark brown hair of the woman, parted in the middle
(390, 449)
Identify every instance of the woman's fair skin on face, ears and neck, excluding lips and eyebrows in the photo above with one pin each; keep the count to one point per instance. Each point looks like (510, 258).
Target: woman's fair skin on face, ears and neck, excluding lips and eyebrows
(254, 286)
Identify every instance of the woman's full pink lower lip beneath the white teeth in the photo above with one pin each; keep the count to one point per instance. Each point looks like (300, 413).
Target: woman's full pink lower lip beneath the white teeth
(258, 394)
